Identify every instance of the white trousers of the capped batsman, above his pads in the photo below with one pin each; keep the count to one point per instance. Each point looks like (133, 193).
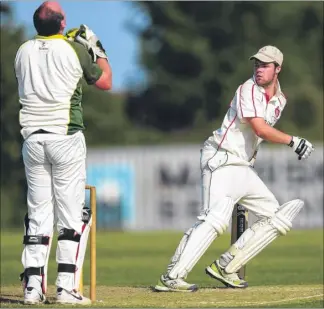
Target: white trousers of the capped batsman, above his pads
(223, 176)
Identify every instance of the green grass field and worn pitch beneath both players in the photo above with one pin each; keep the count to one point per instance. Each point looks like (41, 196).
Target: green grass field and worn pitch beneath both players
(289, 273)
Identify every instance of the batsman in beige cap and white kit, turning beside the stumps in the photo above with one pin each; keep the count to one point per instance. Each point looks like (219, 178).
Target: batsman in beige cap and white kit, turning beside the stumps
(228, 178)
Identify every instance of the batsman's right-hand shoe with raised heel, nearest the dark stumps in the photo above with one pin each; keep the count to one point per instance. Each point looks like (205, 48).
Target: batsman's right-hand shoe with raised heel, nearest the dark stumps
(216, 271)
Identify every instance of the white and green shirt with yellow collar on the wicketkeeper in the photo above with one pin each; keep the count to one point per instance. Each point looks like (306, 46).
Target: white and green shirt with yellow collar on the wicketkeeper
(49, 71)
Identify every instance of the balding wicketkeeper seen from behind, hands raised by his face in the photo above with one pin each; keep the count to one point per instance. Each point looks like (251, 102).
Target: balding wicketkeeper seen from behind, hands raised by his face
(49, 70)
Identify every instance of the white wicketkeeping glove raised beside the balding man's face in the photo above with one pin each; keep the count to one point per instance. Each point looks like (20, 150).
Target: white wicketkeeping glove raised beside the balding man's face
(90, 41)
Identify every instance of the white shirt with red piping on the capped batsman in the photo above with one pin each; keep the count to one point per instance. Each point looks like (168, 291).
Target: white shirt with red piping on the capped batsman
(235, 135)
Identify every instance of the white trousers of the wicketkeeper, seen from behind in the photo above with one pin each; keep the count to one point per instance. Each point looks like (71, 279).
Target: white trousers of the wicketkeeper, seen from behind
(55, 170)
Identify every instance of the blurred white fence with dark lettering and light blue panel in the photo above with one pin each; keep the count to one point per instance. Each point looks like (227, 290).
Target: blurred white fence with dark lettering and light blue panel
(154, 188)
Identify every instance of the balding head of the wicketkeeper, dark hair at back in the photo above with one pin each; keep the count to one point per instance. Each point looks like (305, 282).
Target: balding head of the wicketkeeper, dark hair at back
(49, 18)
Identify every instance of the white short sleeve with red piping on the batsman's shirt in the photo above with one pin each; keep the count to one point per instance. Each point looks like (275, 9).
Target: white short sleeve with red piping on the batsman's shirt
(250, 101)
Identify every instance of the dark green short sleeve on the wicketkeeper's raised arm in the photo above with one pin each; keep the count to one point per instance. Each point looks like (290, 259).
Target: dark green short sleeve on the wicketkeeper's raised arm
(91, 71)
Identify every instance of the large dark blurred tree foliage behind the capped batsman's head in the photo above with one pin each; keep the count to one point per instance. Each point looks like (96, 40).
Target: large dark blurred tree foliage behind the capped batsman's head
(196, 54)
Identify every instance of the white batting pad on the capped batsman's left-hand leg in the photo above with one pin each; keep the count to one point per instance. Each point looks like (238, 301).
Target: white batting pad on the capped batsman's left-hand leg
(203, 233)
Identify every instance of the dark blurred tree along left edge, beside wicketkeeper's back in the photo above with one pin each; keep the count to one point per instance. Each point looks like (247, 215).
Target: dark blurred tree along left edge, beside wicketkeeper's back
(12, 172)
